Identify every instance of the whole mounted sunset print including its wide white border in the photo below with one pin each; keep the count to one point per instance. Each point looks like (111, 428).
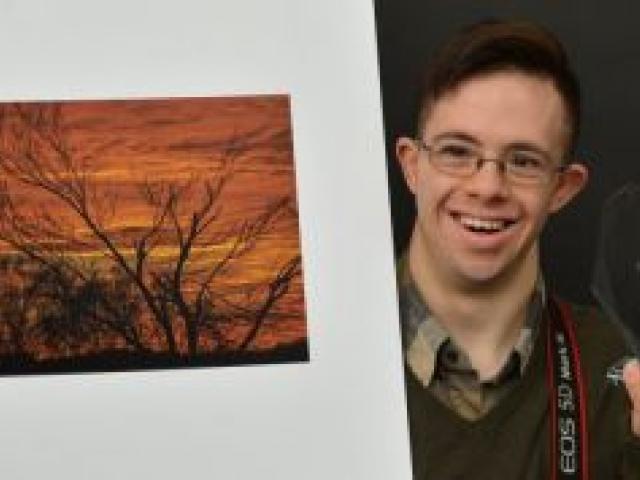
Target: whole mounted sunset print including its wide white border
(291, 89)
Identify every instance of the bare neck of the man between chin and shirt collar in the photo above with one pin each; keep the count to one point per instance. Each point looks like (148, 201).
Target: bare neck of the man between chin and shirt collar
(484, 318)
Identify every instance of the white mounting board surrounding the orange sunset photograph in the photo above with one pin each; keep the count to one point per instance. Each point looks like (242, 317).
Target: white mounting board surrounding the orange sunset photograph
(342, 415)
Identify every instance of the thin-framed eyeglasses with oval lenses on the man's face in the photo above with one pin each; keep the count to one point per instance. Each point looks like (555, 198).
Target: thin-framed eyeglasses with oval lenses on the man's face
(461, 159)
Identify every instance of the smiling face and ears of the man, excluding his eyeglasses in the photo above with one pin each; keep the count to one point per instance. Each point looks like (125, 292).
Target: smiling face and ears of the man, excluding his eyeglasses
(482, 228)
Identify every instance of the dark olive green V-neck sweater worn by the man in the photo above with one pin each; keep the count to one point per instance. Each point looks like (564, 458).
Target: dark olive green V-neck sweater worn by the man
(512, 440)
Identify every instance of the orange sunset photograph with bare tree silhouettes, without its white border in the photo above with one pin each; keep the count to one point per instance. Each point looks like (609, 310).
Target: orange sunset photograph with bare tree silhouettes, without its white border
(149, 233)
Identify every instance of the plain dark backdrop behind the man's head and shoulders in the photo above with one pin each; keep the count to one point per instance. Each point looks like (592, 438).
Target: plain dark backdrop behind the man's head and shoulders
(603, 42)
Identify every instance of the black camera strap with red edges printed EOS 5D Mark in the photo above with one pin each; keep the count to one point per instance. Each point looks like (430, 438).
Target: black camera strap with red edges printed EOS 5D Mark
(567, 397)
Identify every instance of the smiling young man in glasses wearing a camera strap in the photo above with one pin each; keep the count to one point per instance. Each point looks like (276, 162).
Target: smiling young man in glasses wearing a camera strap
(504, 381)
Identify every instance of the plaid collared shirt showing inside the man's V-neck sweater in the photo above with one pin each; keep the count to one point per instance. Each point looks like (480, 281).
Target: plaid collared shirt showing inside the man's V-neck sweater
(443, 368)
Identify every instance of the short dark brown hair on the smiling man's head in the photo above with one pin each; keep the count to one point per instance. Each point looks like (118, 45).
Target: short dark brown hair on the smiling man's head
(497, 45)
